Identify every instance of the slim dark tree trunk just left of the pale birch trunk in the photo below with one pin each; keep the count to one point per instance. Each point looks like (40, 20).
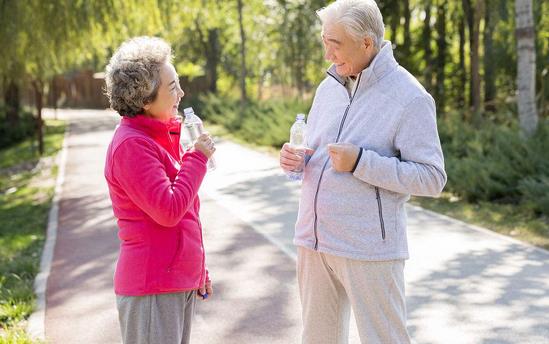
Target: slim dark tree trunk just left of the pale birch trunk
(489, 78)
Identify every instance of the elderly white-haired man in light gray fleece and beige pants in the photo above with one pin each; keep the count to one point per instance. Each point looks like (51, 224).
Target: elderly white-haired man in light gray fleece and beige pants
(373, 142)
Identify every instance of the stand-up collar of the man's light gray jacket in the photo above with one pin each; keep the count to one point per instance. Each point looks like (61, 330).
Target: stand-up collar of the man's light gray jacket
(382, 64)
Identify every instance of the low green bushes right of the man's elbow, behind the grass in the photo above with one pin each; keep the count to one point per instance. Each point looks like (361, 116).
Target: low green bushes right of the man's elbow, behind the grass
(495, 163)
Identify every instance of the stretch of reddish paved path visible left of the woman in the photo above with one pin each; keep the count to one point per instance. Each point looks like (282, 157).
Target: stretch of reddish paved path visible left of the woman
(80, 305)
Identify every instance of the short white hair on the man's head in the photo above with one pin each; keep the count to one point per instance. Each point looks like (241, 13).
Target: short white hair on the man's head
(359, 18)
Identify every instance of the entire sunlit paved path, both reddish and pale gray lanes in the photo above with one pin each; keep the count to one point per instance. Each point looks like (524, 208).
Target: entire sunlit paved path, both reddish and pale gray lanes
(464, 285)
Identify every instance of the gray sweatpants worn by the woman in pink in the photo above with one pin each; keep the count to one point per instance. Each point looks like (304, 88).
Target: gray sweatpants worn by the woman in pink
(156, 319)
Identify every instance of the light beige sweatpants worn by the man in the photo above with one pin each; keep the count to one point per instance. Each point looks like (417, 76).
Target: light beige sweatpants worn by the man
(329, 286)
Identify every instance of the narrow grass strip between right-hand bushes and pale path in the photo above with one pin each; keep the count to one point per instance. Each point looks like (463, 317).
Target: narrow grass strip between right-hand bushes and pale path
(510, 220)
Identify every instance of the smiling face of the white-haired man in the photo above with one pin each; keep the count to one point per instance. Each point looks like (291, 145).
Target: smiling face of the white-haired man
(349, 56)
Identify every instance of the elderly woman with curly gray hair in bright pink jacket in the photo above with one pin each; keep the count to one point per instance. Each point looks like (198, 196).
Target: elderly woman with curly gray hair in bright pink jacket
(154, 186)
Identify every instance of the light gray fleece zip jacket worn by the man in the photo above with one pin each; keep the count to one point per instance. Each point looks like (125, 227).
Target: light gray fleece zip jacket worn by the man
(361, 215)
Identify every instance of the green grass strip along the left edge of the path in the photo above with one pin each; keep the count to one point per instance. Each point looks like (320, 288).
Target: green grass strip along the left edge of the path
(25, 199)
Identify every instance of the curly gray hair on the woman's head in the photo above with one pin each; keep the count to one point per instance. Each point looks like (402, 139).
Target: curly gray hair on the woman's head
(133, 74)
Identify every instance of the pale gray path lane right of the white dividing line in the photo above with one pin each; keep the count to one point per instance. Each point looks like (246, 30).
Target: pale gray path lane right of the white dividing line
(464, 285)
